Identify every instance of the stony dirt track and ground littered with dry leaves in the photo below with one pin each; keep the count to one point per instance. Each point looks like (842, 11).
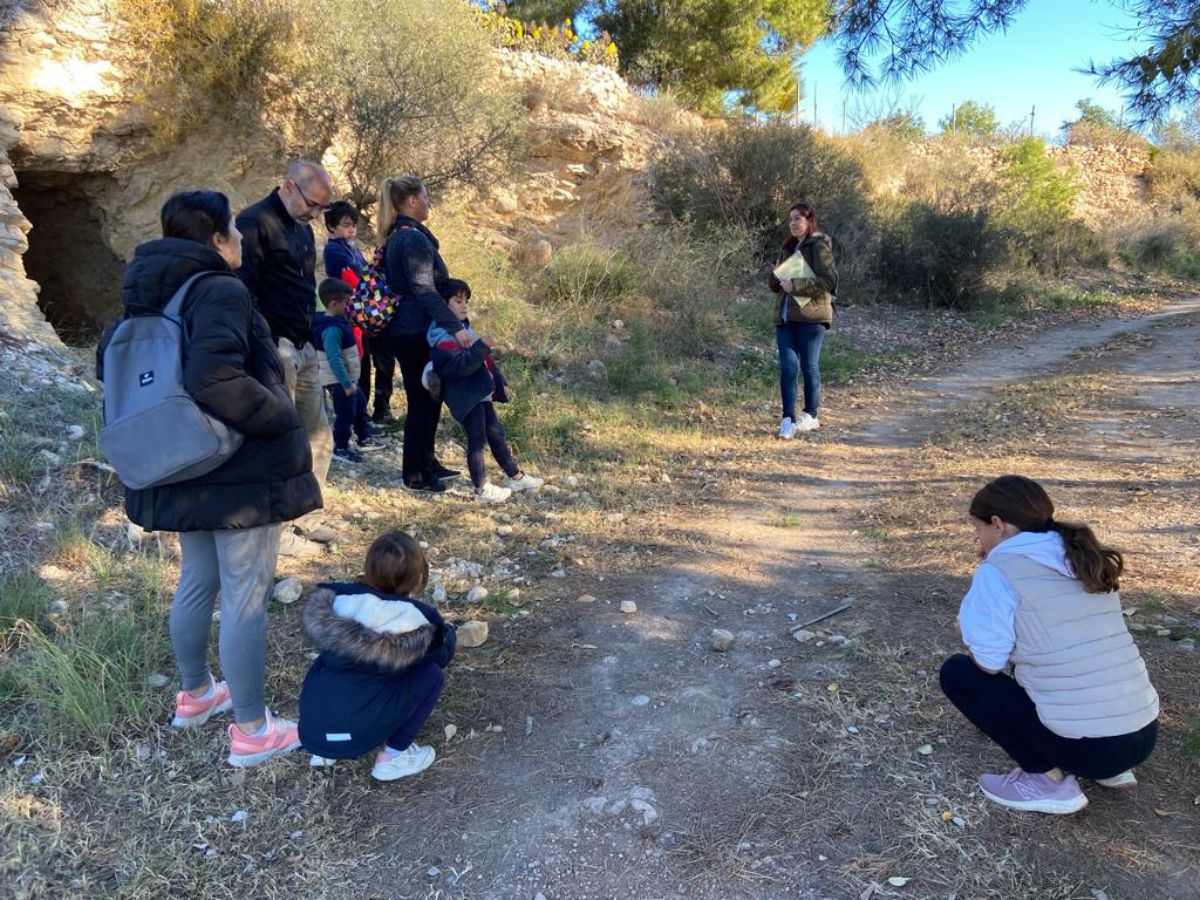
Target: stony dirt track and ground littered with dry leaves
(665, 706)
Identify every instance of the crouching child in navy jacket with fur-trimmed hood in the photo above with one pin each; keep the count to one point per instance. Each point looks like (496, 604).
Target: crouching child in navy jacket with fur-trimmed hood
(380, 671)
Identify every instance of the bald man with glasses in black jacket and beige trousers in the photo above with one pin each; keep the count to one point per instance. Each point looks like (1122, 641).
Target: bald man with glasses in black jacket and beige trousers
(279, 267)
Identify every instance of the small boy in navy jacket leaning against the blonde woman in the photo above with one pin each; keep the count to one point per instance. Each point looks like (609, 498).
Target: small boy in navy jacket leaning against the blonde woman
(470, 383)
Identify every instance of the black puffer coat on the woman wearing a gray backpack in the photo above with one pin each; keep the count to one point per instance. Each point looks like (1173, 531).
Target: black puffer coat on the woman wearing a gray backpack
(233, 371)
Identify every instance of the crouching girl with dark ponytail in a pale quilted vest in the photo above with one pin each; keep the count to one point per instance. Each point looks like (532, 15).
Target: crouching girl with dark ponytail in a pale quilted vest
(1045, 601)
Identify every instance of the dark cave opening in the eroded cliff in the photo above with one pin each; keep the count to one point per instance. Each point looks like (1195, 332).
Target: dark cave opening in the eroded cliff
(79, 274)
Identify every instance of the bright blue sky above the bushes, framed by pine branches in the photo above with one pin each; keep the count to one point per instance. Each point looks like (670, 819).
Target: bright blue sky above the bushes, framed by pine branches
(1030, 65)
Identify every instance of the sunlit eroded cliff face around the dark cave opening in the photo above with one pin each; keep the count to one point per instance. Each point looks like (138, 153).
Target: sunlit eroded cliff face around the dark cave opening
(83, 184)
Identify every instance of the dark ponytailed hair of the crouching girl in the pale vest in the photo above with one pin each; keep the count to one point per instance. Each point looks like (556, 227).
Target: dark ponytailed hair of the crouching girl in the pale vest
(1023, 503)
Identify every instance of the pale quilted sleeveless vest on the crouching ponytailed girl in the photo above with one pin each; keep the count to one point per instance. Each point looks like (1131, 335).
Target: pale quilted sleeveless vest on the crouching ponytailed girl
(1075, 656)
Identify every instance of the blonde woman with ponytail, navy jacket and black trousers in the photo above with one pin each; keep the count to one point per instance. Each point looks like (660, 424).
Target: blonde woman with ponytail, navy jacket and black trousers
(417, 274)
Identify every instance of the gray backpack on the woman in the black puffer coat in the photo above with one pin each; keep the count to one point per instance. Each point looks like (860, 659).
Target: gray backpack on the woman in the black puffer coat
(155, 434)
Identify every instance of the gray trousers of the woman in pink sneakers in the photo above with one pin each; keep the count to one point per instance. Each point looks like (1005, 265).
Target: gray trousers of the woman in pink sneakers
(238, 565)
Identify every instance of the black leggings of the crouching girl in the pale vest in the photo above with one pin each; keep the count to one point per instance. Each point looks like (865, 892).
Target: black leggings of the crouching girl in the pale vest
(1003, 711)
